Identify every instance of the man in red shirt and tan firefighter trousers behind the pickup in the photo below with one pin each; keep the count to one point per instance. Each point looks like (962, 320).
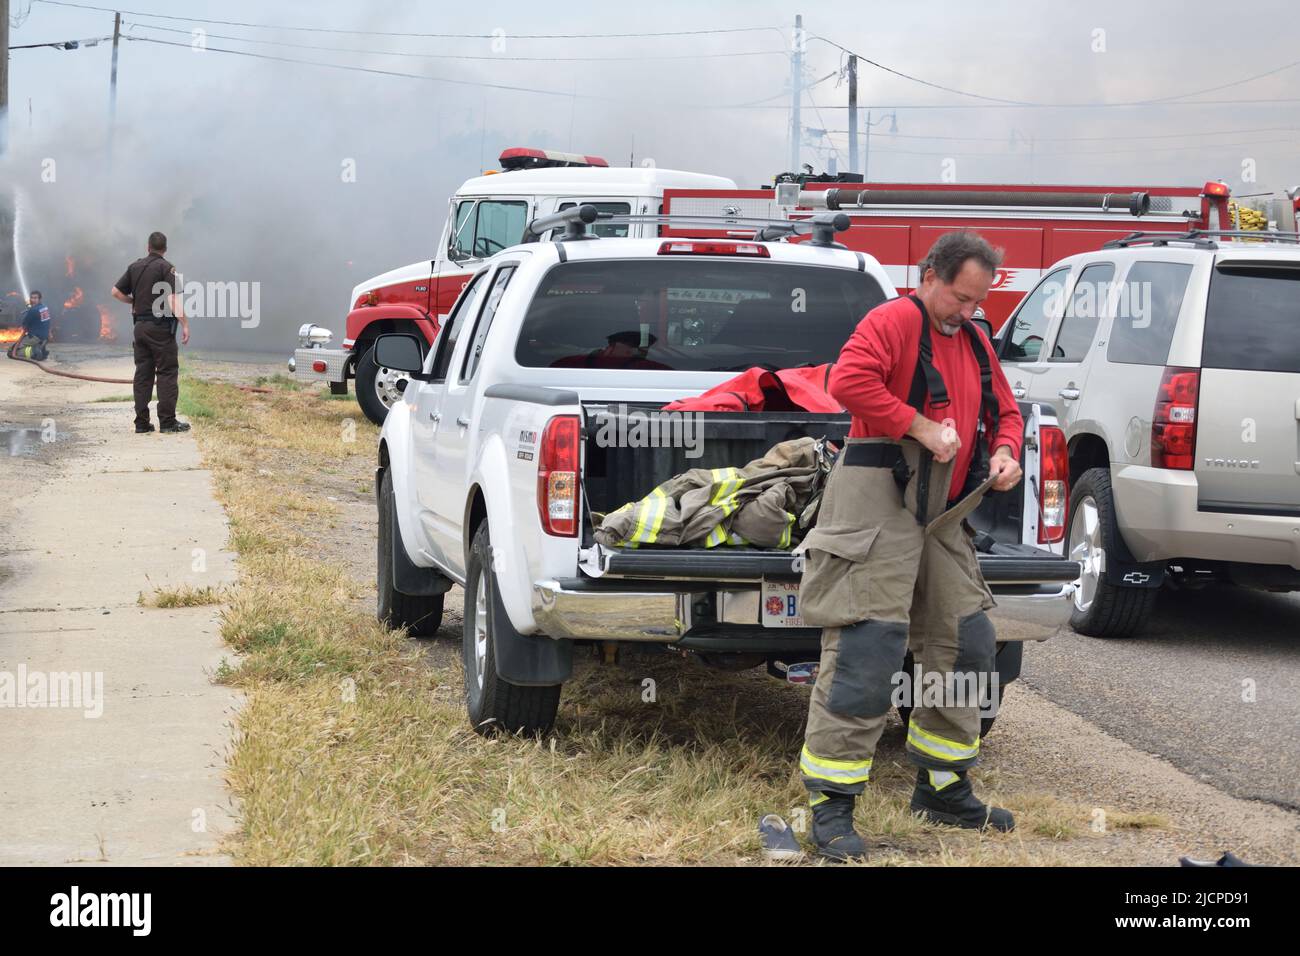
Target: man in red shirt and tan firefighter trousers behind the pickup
(933, 419)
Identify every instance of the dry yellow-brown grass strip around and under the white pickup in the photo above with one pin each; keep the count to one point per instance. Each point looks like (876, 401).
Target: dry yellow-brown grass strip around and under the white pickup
(354, 749)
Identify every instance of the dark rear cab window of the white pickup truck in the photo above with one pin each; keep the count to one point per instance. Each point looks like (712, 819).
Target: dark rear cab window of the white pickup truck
(694, 314)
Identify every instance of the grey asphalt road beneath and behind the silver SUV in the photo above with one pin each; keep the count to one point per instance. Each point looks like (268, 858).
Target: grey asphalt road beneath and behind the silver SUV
(1184, 687)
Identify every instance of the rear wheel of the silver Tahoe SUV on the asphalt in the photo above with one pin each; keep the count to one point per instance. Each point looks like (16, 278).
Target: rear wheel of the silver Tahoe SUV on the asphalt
(1102, 609)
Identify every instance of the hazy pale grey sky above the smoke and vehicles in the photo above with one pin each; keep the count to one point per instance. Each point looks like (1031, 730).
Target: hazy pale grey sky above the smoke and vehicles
(250, 150)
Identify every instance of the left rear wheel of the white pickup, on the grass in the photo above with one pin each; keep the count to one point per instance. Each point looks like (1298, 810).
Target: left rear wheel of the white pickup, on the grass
(492, 703)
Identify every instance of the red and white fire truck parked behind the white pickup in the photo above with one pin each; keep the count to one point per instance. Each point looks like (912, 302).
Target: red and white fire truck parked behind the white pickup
(894, 223)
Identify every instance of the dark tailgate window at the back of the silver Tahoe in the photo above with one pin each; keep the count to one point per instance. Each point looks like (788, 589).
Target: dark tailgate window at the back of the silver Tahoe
(1253, 321)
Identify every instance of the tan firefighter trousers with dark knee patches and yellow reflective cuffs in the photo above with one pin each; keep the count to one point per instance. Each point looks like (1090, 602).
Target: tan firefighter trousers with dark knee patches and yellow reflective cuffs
(881, 585)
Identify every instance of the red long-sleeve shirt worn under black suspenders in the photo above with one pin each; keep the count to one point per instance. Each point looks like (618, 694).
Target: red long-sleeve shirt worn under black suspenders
(873, 378)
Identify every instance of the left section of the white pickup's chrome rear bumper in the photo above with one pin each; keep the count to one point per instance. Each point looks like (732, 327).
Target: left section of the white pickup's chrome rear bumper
(613, 616)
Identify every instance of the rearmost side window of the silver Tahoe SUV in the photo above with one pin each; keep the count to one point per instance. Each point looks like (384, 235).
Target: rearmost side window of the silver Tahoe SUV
(1146, 313)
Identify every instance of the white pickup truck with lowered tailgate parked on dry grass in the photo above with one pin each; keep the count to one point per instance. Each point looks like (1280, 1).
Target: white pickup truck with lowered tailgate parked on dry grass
(491, 466)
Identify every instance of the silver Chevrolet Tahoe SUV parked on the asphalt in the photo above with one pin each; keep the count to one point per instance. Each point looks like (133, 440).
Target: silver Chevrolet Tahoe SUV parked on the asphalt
(1175, 365)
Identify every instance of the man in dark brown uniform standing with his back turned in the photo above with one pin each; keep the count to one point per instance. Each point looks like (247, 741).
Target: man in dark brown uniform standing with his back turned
(150, 288)
